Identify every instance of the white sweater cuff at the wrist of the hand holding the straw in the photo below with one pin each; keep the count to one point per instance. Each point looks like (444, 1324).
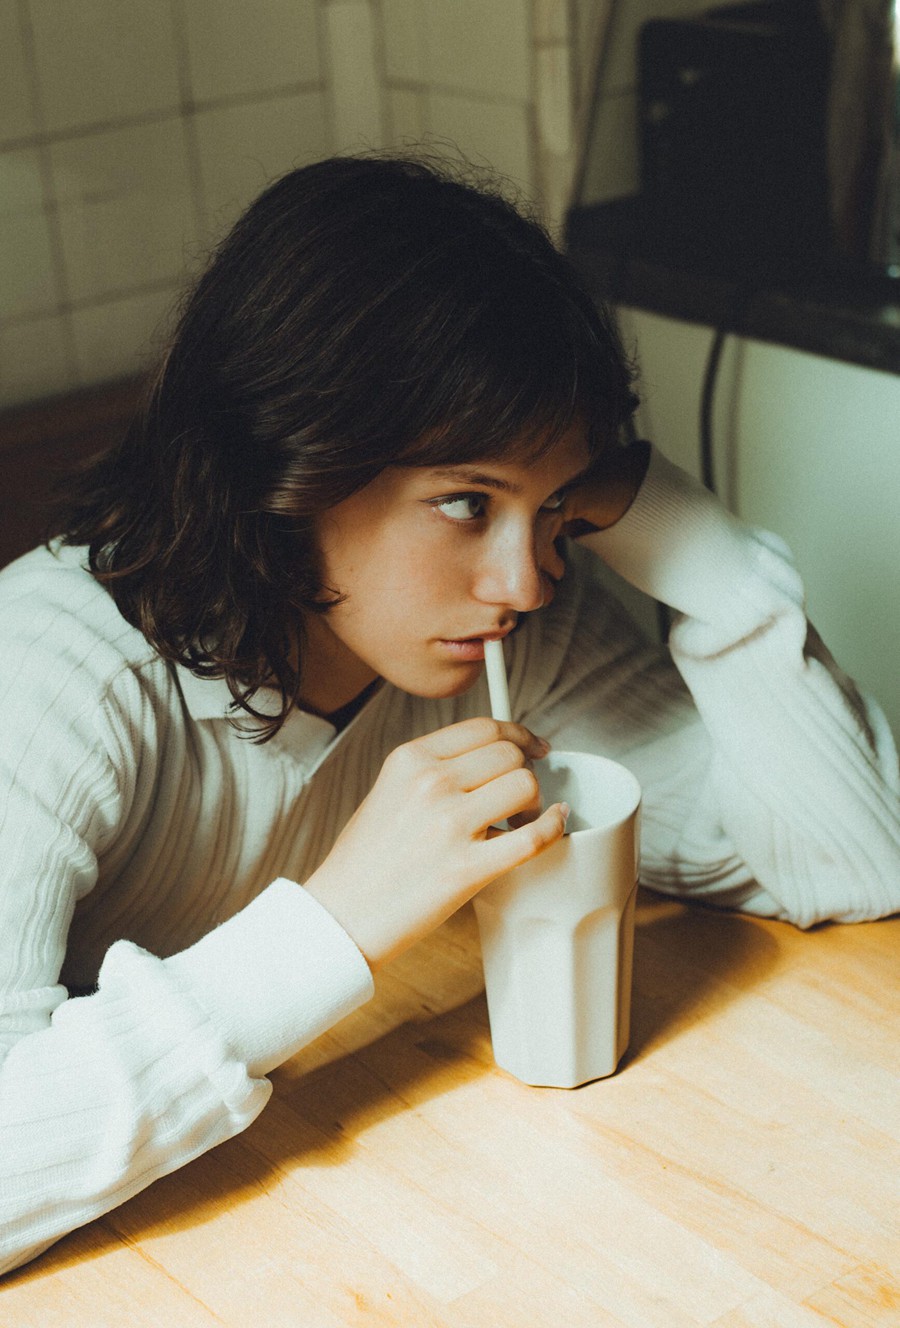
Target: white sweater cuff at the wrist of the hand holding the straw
(275, 977)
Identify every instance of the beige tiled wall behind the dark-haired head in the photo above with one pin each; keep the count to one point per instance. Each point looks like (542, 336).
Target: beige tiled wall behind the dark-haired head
(132, 133)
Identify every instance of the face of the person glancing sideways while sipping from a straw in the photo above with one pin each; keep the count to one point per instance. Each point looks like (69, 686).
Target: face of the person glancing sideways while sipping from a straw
(429, 564)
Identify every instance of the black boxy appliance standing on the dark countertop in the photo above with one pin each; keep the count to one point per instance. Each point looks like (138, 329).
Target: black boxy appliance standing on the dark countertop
(733, 112)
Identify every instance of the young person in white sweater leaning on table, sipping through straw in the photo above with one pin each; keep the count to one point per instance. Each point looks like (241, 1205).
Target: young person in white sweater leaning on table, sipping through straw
(246, 756)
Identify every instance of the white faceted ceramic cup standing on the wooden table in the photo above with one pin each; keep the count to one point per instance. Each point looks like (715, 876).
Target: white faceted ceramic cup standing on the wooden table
(558, 933)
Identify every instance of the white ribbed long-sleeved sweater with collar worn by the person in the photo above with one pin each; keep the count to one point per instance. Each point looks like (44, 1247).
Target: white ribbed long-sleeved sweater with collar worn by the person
(141, 840)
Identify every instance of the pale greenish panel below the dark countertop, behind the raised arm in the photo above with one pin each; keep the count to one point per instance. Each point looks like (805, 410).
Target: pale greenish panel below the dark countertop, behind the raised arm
(805, 447)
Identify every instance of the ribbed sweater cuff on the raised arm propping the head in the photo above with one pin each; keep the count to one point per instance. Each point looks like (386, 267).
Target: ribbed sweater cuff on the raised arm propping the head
(682, 546)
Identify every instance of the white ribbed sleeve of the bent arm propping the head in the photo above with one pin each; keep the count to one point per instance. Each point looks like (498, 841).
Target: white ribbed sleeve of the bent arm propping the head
(801, 770)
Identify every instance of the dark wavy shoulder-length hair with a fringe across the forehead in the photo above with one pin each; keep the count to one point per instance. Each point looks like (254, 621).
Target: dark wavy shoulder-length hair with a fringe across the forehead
(363, 313)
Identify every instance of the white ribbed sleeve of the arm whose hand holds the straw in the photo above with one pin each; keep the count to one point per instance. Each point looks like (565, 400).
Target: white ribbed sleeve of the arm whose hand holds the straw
(103, 1095)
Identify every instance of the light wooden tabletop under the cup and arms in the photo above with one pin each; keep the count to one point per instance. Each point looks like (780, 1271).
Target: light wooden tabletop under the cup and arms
(741, 1171)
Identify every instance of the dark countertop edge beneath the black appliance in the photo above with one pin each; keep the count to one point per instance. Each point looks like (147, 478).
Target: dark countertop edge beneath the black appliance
(824, 310)
